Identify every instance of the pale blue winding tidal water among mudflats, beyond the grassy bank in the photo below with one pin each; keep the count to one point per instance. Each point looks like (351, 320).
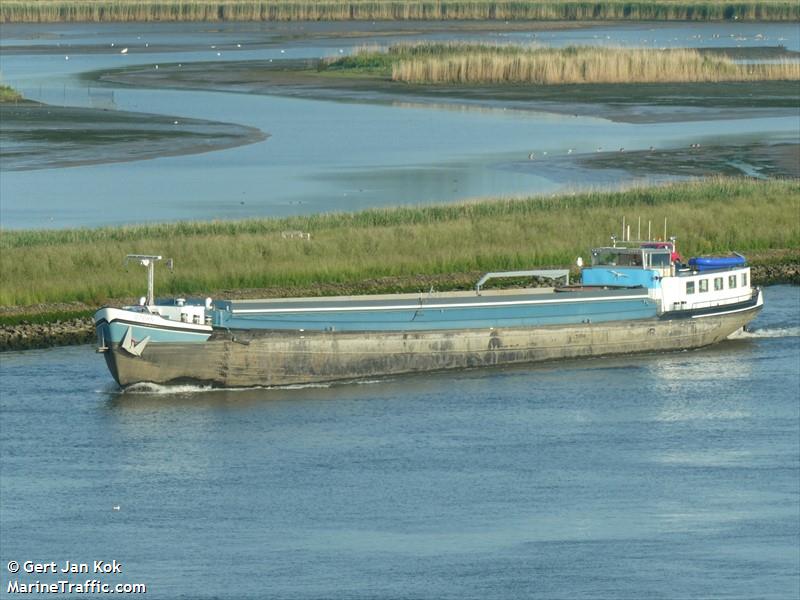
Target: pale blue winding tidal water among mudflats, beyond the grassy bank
(332, 156)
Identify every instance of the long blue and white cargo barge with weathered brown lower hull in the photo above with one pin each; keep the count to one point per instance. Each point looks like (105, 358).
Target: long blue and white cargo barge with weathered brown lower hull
(635, 296)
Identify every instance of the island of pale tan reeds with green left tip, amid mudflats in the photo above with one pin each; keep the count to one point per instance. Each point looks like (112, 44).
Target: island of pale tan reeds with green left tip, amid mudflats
(446, 63)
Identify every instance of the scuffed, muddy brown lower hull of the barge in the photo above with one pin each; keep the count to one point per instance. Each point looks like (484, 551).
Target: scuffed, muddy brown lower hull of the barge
(242, 358)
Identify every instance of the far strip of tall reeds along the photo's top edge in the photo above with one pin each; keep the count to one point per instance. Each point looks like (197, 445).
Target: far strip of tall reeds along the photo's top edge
(343, 10)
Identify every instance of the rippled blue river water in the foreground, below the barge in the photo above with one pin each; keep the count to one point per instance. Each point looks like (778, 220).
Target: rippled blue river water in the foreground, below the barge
(661, 476)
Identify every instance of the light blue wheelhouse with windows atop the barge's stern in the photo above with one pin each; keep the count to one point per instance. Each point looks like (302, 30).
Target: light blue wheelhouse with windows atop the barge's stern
(641, 266)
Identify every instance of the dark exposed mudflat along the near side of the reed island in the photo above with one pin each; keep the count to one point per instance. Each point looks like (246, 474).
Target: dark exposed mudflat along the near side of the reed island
(624, 102)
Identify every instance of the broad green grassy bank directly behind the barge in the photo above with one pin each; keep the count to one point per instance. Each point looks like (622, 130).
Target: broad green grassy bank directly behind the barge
(86, 264)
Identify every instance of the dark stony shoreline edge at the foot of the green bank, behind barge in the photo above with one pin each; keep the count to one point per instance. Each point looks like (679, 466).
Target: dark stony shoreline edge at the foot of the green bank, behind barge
(42, 327)
